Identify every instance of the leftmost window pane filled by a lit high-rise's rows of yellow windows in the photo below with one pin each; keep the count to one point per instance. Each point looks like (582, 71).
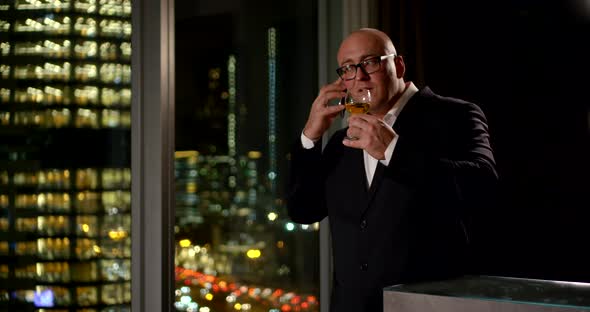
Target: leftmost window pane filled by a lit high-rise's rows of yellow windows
(65, 97)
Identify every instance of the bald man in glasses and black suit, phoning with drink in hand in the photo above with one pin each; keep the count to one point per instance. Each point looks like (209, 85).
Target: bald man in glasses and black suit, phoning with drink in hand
(397, 195)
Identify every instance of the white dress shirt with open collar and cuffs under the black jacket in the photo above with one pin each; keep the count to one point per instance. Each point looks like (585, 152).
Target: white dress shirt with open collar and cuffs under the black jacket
(389, 119)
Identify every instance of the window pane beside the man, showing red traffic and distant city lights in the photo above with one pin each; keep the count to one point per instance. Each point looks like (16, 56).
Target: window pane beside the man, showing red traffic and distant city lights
(246, 75)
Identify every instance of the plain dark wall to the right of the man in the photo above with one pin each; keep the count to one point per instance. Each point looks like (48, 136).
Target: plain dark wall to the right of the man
(526, 64)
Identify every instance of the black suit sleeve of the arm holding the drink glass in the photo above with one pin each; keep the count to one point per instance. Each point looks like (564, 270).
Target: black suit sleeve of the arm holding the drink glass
(448, 150)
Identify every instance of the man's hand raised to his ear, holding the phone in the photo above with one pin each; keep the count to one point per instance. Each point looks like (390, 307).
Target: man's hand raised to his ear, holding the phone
(321, 115)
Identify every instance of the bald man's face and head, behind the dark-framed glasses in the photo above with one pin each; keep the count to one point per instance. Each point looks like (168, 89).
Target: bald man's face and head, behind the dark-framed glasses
(383, 84)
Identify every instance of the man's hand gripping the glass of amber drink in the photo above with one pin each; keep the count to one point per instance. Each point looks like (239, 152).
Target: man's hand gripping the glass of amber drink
(373, 134)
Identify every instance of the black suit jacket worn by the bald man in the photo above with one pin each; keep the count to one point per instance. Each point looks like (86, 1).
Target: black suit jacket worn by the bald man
(410, 224)
